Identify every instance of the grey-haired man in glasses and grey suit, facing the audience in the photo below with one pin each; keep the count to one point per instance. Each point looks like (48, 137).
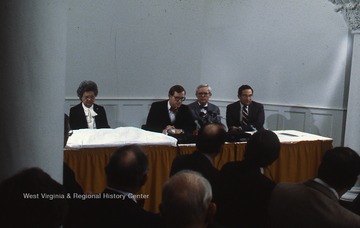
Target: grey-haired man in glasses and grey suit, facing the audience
(204, 112)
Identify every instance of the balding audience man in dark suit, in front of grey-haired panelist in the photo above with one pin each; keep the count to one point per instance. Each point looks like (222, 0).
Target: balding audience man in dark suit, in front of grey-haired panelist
(209, 143)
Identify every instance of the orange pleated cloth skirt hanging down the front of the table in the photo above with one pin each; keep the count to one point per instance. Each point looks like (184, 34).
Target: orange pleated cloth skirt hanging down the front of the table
(298, 162)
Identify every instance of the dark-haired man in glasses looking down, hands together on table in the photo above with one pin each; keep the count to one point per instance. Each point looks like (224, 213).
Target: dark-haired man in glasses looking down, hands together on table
(171, 116)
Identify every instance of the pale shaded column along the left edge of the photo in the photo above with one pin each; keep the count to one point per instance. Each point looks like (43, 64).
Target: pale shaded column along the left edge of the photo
(32, 86)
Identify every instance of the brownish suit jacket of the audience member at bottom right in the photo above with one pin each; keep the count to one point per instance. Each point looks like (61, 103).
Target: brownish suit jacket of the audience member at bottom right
(308, 204)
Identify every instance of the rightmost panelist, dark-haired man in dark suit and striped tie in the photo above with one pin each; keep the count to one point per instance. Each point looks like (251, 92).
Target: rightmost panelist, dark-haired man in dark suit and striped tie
(245, 114)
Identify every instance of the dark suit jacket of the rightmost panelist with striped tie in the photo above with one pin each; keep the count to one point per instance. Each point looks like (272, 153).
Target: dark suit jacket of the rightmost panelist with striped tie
(256, 115)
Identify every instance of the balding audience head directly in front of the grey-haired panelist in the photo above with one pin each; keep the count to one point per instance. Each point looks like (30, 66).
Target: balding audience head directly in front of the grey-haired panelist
(211, 138)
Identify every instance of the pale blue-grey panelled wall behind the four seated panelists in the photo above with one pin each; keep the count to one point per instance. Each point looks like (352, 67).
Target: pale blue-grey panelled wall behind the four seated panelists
(292, 52)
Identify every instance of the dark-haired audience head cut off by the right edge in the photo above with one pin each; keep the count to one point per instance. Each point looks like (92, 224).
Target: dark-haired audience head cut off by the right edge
(340, 168)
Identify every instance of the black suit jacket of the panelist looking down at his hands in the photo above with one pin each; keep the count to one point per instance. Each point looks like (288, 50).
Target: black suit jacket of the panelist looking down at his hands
(158, 118)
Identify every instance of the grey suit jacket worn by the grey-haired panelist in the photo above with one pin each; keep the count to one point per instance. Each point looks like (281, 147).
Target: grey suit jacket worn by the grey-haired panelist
(213, 113)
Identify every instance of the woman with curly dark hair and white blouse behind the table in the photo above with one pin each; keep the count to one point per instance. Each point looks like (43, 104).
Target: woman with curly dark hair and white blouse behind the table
(87, 114)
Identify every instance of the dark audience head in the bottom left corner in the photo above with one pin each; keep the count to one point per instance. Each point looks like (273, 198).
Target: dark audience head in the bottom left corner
(32, 198)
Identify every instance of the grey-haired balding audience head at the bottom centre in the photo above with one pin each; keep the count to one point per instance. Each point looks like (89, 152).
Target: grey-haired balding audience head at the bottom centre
(186, 200)
